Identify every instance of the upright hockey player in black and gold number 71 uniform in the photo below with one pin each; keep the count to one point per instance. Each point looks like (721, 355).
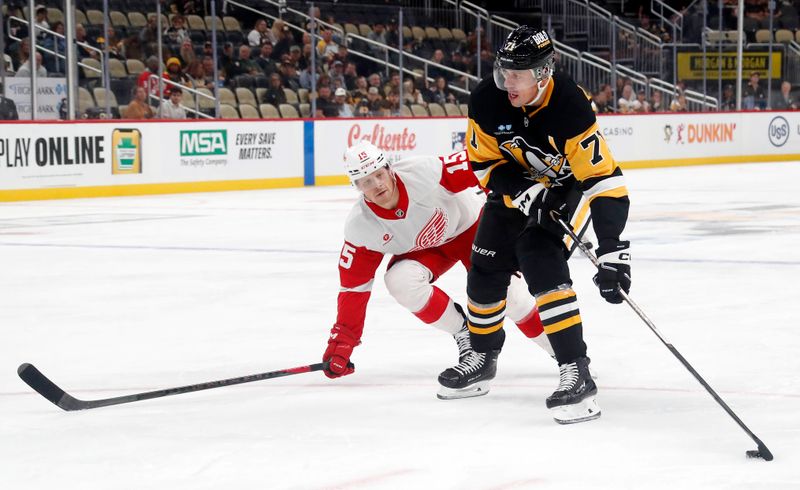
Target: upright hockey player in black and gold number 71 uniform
(534, 142)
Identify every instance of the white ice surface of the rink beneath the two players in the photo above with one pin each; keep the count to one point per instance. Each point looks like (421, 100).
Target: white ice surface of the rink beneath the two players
(121, 295)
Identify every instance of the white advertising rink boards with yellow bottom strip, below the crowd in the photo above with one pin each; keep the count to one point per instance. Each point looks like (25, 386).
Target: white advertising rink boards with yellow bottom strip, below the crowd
(115, 158)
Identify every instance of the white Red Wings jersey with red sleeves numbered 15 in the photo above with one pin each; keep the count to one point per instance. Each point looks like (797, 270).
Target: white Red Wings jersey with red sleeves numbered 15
(439, 200)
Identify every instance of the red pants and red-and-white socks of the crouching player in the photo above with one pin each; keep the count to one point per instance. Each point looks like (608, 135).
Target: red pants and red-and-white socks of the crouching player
(410, 277)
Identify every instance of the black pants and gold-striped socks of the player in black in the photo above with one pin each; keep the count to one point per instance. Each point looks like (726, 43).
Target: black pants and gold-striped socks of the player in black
(506, 242)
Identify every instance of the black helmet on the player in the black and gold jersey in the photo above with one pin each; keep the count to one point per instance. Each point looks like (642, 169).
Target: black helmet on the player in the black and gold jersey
(526, 48)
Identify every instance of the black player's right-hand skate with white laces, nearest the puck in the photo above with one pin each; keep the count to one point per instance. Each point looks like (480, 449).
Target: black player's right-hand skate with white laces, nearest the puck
(574, 399)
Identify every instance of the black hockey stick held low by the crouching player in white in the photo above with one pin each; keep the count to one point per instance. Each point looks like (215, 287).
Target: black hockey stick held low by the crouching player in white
(42, 385)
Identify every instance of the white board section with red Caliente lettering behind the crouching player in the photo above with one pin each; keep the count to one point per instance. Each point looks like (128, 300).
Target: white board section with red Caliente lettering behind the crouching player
(397, 137)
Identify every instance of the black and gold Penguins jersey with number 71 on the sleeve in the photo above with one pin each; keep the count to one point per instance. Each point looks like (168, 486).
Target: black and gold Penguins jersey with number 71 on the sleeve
(557, 143)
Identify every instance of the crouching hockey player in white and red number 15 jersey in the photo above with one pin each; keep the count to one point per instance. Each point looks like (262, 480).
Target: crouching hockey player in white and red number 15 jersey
(424, 212)
